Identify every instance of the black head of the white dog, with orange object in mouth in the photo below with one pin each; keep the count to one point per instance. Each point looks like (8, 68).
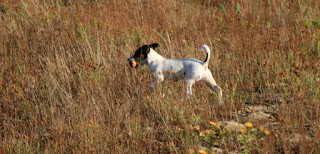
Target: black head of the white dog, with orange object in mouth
(141, 55)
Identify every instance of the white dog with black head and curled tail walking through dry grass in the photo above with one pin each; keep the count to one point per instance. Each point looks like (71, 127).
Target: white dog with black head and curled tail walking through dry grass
(191, 70)
